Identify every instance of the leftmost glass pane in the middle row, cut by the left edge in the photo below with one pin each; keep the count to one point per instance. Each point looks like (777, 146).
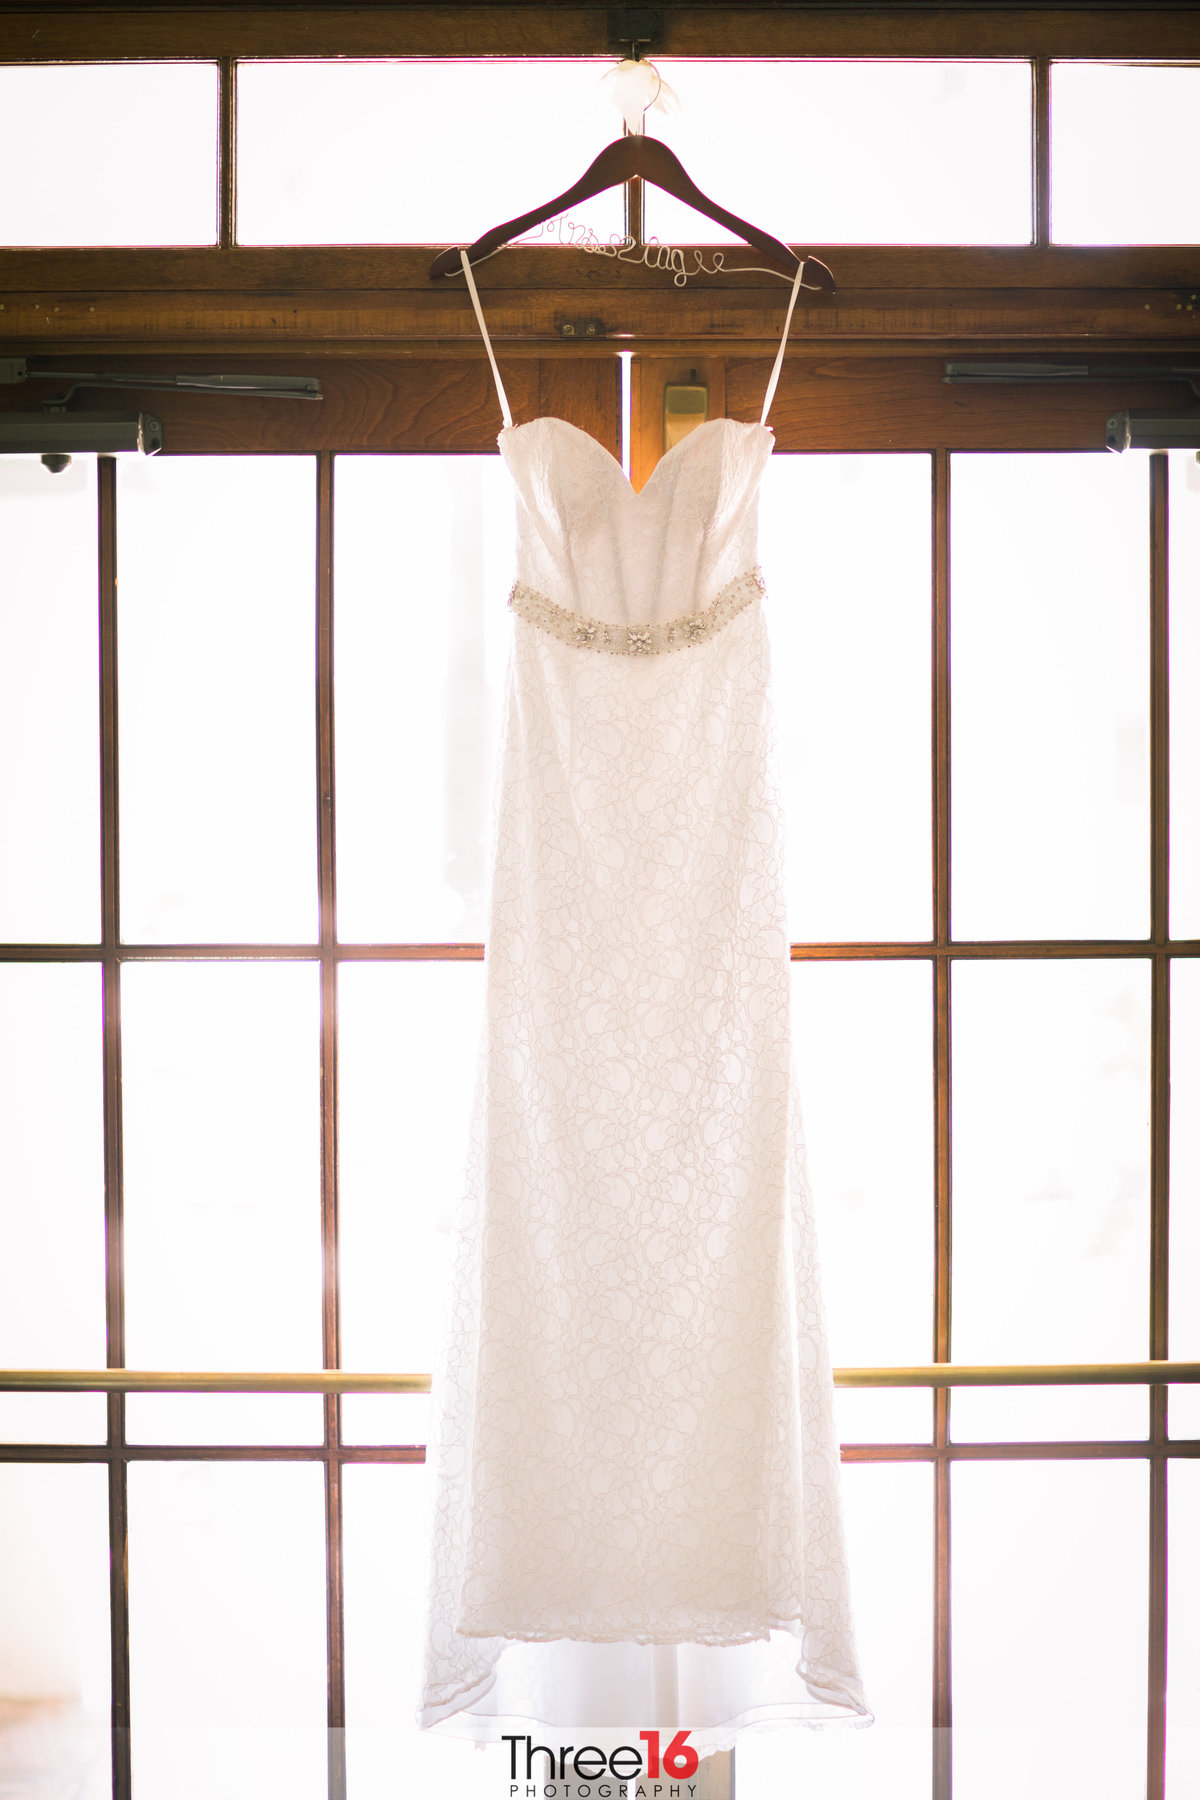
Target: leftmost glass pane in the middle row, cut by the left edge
(51, 1192)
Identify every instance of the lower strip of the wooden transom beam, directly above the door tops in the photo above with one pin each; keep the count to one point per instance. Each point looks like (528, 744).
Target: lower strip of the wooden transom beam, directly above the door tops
(197, 323)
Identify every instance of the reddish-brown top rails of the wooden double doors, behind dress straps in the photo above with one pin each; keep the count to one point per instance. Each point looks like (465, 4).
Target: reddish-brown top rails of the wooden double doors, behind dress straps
(438, 404)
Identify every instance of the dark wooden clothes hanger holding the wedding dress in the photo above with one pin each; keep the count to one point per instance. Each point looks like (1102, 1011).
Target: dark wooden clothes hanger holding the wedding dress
(650, 159)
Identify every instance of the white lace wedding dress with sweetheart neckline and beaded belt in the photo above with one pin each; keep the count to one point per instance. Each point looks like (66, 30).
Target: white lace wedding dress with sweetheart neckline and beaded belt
(636, 1468)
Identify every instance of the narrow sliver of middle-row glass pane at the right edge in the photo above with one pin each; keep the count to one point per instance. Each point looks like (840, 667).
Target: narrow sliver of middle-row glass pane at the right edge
(1185, 1326)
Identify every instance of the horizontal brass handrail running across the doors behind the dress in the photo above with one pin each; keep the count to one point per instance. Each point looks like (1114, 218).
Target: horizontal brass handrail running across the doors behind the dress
(341, 1381)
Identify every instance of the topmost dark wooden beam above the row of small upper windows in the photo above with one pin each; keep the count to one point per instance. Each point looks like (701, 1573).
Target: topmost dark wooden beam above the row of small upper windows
(98, 33)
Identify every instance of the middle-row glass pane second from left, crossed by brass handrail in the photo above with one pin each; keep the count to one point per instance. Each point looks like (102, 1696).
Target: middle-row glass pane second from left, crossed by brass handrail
(222, 1196)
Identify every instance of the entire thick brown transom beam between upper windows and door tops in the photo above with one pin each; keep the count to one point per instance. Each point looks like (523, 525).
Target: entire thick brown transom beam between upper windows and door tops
(364, 301)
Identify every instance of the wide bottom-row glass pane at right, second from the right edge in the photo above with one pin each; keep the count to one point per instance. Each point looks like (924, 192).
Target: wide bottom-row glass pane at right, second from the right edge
(1050, 1572)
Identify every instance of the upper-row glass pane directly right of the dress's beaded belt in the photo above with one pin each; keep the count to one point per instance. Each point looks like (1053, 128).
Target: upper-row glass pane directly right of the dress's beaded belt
(846, 553)
